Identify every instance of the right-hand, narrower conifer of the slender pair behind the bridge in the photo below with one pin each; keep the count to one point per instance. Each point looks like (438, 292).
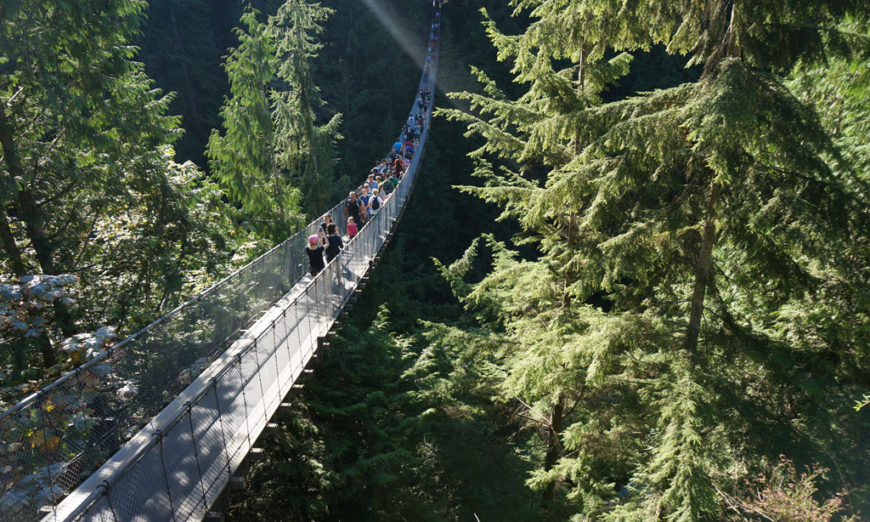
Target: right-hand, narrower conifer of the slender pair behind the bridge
(303, 148)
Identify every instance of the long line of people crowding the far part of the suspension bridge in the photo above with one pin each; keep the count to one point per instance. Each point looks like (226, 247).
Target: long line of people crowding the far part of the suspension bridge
(363, 204)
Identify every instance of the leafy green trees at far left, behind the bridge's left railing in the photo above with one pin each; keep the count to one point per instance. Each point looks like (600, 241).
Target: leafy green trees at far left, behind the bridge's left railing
(87, 184)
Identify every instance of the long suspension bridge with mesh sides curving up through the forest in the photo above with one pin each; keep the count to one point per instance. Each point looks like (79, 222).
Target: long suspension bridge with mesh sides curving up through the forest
(155, 428)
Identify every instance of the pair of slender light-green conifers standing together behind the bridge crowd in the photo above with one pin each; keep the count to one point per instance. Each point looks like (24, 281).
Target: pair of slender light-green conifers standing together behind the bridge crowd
(273, 159)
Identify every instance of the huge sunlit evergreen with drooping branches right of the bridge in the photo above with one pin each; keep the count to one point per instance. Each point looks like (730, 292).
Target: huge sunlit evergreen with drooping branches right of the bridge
(704, 212)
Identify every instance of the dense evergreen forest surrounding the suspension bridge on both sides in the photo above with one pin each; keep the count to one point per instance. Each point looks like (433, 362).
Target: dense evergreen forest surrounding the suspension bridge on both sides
(633, 282)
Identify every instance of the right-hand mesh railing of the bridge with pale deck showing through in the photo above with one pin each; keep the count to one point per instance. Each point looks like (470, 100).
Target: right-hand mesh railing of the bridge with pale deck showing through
(176, 468)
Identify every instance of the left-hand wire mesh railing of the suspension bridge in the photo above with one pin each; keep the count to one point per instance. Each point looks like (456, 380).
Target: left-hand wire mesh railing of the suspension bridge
(52, 439)
